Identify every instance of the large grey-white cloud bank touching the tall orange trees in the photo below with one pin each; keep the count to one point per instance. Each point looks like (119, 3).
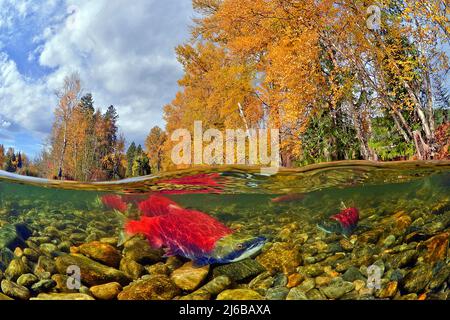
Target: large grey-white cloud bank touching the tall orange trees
(125, 54)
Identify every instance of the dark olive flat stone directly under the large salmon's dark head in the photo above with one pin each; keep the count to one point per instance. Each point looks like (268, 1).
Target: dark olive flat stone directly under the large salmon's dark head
(239, 271)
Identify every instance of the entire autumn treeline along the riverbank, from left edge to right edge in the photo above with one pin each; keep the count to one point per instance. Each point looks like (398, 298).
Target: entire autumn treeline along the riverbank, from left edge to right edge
(337, 88)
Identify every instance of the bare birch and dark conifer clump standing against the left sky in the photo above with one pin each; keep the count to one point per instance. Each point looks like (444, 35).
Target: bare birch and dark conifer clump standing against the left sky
(85, 143)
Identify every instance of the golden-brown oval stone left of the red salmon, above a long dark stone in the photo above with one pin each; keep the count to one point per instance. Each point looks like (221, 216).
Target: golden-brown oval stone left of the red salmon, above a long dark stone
(101, 252)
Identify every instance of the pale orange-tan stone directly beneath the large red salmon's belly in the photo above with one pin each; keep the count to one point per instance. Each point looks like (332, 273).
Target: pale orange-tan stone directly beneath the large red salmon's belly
(189, 277)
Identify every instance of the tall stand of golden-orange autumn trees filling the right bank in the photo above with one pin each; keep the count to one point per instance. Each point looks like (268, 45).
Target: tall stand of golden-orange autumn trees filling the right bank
(289, 64)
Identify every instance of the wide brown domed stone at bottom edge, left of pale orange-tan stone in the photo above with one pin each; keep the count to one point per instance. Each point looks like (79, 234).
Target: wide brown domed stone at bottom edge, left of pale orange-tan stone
(155, 287)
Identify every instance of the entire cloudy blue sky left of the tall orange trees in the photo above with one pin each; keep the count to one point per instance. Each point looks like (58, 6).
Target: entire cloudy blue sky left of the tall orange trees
(124, 52)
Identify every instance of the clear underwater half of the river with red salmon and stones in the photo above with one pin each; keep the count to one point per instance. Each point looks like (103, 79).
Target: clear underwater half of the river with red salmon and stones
(347, 230)
